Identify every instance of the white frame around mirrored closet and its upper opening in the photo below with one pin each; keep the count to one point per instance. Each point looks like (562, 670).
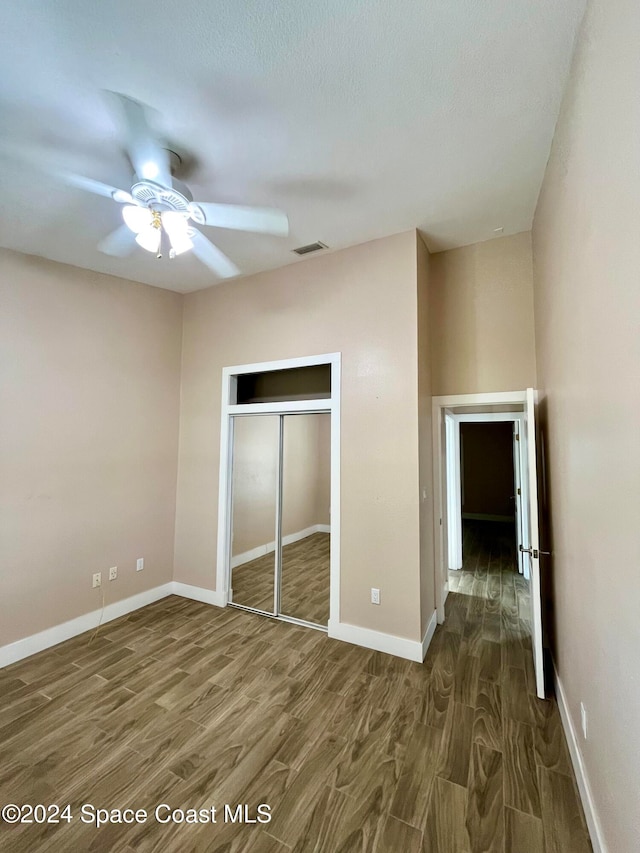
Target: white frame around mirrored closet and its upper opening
(229, 409)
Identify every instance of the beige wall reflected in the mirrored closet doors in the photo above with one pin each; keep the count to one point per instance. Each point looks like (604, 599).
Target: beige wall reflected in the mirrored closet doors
(306, 477)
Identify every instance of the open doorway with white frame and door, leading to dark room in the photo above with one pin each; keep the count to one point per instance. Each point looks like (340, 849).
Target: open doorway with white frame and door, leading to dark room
(485, 489)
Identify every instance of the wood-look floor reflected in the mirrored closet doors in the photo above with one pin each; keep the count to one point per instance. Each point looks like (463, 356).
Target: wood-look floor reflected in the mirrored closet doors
(305, 580)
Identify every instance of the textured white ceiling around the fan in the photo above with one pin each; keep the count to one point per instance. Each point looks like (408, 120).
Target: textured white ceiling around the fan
(360, 118)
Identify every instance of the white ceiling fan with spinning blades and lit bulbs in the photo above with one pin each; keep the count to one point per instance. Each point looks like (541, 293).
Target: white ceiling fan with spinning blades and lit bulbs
(159, 212)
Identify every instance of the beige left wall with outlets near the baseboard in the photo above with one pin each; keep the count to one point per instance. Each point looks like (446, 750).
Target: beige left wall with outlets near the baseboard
(90, 379)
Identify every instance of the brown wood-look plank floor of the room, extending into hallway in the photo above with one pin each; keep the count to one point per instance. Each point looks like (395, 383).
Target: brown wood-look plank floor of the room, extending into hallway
(193, 706)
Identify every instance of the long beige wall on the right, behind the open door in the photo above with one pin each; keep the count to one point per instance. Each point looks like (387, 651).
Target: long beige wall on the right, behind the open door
(586, 244)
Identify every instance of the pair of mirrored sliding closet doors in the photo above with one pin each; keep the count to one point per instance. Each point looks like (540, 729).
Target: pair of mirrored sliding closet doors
(280, 515)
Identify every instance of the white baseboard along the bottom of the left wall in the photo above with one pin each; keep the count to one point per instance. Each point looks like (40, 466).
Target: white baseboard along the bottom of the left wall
(88, 621)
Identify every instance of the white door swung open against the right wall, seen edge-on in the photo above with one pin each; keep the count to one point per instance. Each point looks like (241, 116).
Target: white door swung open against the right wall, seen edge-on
(533, 550)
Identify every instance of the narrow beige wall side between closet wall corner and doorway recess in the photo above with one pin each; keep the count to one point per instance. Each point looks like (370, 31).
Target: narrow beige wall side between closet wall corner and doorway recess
(425, 449)
